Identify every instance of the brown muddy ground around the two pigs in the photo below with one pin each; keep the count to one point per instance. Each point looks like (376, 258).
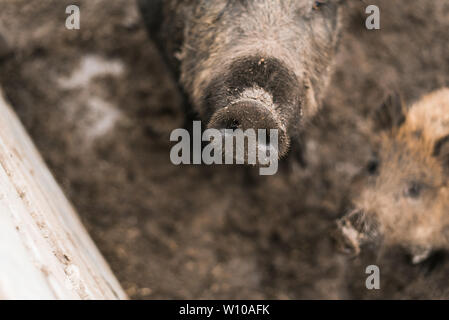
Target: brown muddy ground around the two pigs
(100, 104)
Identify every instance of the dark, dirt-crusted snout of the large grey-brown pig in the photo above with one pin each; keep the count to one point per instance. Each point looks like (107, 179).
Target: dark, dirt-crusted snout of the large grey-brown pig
(255, 92)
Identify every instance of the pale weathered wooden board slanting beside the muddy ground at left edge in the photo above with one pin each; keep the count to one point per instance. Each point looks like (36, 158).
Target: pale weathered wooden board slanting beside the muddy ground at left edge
(45, 252)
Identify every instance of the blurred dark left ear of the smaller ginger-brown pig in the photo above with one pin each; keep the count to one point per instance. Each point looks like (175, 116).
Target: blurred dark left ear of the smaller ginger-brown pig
(391, 114)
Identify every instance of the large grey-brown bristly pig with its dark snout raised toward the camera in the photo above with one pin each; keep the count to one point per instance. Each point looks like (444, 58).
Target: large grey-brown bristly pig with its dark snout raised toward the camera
(261, 64)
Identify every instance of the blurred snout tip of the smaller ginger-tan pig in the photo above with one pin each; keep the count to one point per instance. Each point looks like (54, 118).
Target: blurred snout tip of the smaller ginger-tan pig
(355, 231)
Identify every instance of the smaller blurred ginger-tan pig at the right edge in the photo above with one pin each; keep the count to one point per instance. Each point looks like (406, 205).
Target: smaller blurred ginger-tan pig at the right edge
(403, 199)
